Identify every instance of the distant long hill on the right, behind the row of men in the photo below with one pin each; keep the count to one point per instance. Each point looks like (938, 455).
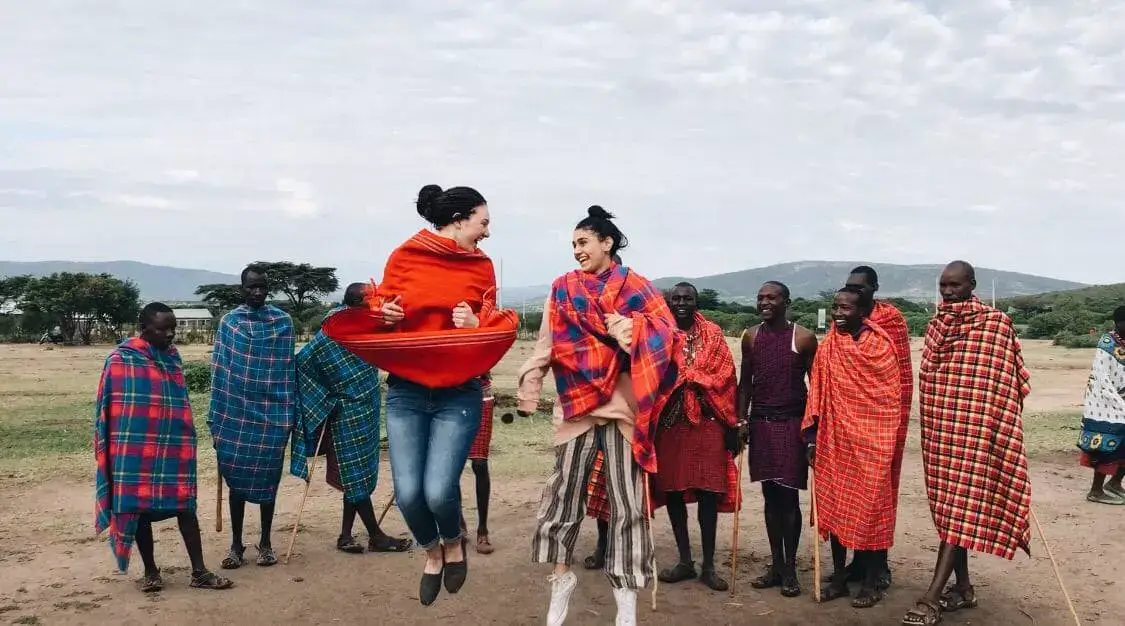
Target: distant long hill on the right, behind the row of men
(809, 279)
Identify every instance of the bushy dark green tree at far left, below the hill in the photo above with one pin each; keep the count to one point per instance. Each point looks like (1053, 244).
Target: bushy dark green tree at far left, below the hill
(80, 303)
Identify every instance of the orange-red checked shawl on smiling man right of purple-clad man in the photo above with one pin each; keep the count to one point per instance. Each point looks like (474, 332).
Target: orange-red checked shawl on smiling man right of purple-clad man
(856, 408)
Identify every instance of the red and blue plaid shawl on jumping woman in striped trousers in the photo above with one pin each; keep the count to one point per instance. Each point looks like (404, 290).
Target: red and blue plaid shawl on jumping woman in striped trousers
(587, 361)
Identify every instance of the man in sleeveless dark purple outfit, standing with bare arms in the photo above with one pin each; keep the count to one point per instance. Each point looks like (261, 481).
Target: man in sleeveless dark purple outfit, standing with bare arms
(777, 357)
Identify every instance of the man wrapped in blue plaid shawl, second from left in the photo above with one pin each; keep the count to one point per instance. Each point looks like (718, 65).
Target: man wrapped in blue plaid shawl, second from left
(253, 409)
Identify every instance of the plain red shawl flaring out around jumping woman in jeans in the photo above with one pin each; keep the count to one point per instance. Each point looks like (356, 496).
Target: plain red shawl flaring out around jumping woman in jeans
(430, 275)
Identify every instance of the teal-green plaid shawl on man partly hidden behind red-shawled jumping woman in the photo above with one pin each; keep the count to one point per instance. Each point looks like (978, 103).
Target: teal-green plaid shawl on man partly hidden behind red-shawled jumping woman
(337, 388)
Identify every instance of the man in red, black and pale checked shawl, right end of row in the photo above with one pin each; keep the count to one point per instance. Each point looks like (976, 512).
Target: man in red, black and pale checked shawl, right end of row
(971, 390)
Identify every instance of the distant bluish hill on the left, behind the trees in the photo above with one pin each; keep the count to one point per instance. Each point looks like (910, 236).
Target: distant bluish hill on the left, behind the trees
(156, 282)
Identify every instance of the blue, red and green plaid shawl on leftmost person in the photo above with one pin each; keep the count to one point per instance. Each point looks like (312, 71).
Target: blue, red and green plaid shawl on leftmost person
(145, 442)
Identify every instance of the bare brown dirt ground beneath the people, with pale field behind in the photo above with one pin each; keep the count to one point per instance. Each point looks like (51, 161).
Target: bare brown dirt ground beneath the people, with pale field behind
(53, 571)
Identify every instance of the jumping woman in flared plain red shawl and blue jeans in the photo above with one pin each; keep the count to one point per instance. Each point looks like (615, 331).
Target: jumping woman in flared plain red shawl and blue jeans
(434, 326)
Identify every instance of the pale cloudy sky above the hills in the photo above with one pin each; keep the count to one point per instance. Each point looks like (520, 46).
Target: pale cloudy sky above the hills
(725, 135)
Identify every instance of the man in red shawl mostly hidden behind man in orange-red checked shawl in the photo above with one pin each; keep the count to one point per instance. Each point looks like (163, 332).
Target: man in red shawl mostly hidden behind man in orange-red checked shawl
(888, 318)
